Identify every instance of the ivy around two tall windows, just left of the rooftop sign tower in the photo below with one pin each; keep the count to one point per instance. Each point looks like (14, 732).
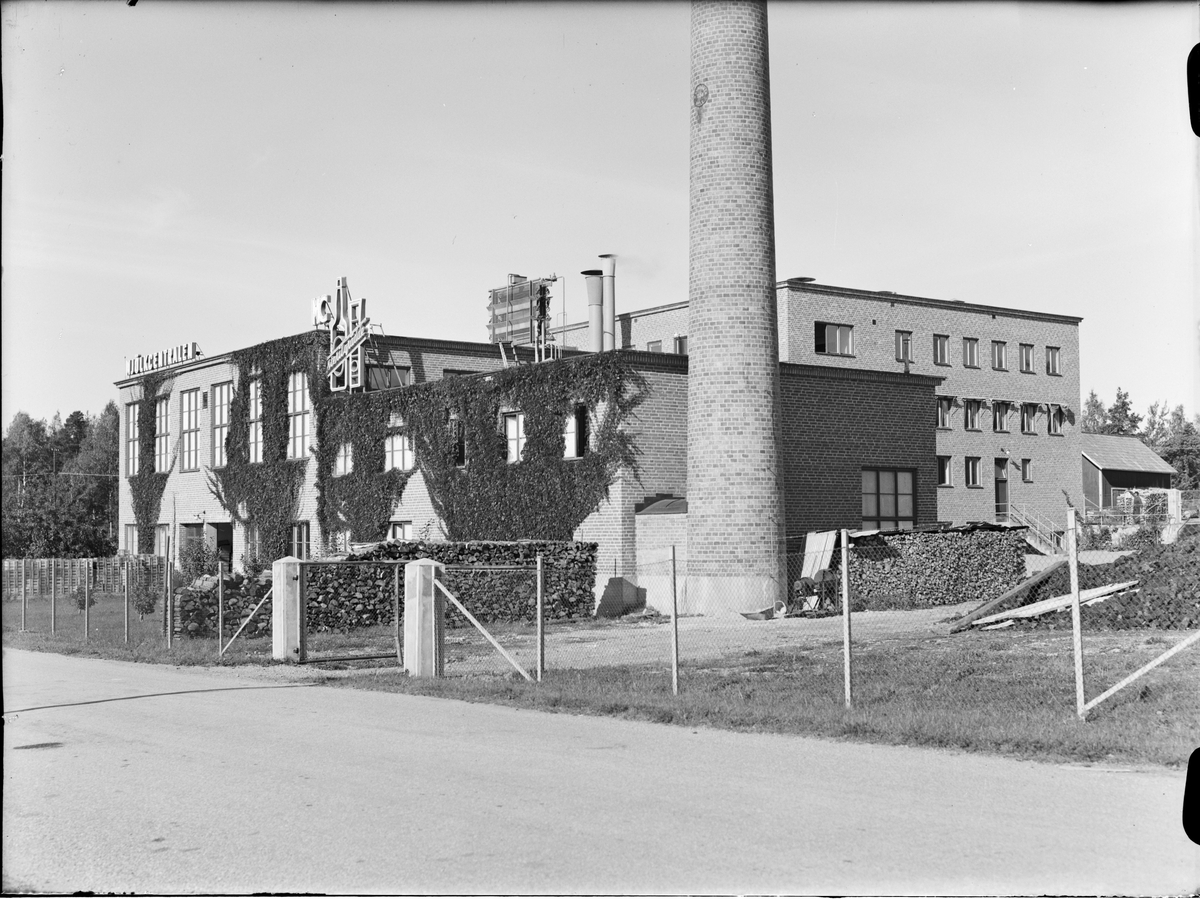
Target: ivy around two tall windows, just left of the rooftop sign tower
(266, 495)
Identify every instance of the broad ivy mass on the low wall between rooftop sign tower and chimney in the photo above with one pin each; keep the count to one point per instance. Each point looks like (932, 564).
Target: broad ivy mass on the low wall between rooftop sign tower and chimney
(543, 498)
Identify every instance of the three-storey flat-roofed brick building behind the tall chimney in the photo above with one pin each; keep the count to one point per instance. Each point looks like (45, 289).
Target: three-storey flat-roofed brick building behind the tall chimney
(1005, 413)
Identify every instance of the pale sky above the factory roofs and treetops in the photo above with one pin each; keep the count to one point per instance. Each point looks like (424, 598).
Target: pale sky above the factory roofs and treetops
(201, 171)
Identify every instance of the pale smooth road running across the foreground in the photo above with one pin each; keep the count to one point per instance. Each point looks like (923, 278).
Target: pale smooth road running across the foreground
(212, 787)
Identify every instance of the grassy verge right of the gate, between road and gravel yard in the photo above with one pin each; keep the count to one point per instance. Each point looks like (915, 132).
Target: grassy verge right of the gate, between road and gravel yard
(991, 693)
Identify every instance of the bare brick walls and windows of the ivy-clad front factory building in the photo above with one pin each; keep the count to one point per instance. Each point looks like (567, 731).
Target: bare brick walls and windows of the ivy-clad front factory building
(872, 422)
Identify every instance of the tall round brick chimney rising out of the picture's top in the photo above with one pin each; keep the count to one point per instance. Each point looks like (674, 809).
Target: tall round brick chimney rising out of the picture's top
(736, 558)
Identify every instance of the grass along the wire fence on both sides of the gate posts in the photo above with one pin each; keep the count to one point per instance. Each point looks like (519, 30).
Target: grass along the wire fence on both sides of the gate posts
(1009, 693)
